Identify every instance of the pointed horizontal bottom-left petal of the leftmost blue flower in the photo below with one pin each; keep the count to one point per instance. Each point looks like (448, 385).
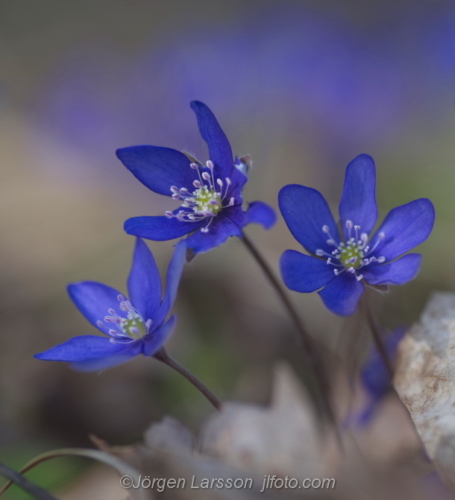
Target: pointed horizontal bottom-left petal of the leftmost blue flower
(90, 352)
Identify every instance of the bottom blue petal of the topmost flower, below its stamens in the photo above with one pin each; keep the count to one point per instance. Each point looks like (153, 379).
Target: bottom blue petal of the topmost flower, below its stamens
(221, 228)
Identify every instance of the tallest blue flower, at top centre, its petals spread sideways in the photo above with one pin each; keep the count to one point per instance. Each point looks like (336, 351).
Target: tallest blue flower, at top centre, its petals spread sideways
(210, 195)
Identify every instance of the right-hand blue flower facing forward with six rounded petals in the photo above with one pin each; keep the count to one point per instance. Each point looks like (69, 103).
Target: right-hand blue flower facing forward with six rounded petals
(339, 266)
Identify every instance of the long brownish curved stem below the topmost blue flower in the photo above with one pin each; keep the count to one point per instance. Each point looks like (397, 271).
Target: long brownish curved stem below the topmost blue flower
(304, 337)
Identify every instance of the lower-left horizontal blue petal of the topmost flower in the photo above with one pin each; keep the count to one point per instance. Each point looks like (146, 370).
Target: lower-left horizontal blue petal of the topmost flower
(159, 228)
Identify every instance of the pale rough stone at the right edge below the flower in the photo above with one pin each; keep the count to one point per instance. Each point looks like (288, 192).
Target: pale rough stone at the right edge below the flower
(425, 380)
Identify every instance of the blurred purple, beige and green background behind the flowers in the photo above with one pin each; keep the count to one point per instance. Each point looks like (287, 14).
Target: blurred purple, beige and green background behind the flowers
(303, 86)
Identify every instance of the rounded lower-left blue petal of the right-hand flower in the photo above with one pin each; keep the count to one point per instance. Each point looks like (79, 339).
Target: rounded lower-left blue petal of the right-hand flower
(303, 273)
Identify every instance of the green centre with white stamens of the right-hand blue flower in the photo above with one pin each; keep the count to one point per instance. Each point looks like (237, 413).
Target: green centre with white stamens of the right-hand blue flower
(352, 255)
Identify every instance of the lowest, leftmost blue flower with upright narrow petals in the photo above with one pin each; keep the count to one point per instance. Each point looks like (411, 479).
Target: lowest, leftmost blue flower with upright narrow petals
(131, 327)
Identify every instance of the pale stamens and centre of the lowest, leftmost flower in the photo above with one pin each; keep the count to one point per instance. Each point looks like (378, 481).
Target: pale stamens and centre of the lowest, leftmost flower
(132, 327)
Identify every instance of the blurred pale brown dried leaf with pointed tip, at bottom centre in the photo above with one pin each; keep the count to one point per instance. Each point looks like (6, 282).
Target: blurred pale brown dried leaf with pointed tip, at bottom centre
(283, 439)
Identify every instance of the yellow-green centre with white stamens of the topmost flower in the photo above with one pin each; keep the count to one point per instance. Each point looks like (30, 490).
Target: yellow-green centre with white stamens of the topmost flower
(206, 201)
